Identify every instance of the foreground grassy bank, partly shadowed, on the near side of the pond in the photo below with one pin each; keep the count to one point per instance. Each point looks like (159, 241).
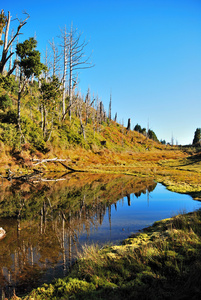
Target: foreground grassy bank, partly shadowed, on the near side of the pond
(162, 262)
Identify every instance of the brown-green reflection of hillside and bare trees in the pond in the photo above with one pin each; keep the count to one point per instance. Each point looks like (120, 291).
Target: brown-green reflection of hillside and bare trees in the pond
(50, 220)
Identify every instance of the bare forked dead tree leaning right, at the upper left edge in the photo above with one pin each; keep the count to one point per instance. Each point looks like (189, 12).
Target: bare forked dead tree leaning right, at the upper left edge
(7, 43)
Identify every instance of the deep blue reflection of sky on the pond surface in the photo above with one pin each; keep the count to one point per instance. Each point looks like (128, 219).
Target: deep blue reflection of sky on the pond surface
(142, 212)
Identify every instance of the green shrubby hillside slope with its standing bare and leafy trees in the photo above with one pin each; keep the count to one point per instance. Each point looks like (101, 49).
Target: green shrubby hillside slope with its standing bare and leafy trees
(40, 104)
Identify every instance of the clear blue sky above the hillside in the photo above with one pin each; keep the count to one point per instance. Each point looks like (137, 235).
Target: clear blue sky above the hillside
(147, 53)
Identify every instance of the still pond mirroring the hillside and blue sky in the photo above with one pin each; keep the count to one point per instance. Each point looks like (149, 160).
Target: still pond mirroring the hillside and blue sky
(48, 221)
